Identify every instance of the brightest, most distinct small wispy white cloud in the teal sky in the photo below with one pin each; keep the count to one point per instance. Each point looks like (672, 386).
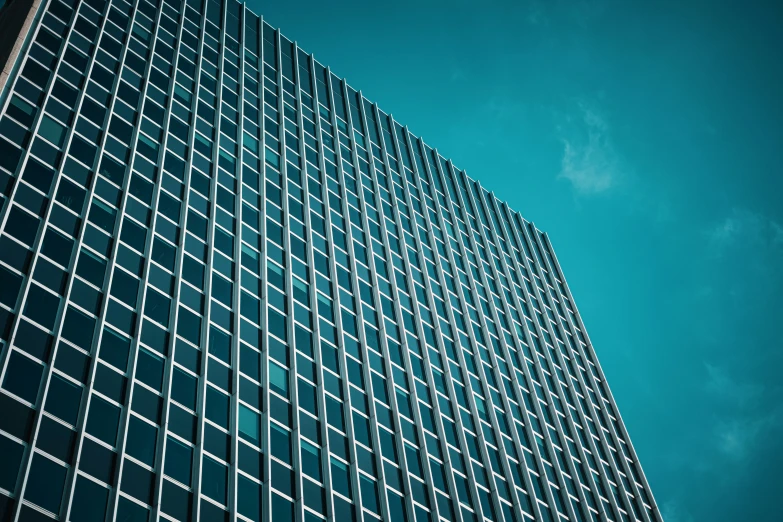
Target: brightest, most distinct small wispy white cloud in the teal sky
(590, 162)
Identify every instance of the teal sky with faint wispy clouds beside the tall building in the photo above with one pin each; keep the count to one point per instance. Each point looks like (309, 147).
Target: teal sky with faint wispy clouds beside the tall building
(647, 139)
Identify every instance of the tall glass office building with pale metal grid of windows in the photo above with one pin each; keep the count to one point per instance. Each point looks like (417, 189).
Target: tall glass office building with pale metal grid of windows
(232, 288)
